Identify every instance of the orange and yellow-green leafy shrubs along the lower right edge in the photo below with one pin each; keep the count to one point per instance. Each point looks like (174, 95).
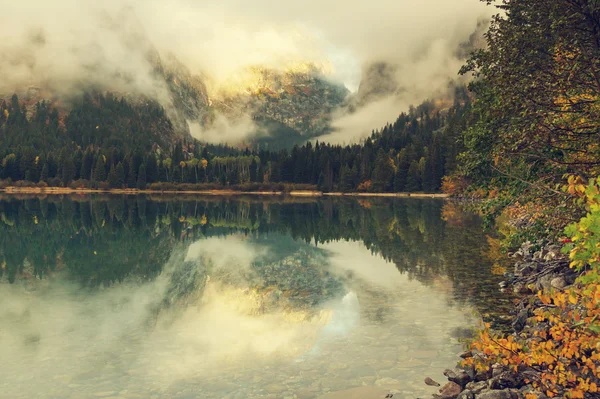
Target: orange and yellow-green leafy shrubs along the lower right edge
(561, 353)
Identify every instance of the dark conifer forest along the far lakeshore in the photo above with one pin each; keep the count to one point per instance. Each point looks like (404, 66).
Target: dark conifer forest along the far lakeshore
(106, 142)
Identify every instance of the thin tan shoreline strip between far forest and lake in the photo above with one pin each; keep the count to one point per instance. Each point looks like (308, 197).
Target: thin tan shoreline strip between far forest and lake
(223, 193)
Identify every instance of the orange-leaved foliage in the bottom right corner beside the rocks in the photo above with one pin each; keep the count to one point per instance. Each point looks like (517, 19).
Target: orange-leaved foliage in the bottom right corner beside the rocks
(565, 355)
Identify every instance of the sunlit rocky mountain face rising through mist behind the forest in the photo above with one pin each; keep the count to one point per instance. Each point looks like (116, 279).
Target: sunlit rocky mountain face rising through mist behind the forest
(287, 107)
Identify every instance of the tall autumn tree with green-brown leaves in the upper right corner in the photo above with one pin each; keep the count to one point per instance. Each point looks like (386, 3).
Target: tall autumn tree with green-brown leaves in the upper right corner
(538, 91)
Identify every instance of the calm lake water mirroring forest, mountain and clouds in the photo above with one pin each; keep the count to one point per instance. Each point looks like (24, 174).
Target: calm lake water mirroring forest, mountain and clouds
(136, 297)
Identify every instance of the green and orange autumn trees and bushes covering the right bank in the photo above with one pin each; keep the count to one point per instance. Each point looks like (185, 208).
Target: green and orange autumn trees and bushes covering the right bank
(531, 159)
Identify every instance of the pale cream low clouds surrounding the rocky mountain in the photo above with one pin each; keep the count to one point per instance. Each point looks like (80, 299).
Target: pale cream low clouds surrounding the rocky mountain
(65, 46)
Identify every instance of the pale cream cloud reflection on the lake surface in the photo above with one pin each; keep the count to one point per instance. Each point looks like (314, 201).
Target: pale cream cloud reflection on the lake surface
(73, 339)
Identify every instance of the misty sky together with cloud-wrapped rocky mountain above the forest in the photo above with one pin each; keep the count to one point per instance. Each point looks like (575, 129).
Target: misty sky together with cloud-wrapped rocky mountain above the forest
(236, 73)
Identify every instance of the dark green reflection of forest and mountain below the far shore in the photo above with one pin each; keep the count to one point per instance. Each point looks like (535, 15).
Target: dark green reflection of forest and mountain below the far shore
(99, 241)
